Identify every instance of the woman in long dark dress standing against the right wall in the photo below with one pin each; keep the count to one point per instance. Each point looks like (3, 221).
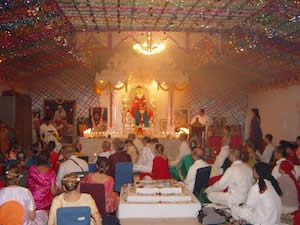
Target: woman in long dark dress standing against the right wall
(255, 133)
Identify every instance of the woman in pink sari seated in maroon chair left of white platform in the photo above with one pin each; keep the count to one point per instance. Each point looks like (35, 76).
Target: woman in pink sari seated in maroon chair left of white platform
(101, 177)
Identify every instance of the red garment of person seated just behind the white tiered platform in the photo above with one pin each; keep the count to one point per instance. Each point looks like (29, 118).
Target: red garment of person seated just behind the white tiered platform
(160, 169)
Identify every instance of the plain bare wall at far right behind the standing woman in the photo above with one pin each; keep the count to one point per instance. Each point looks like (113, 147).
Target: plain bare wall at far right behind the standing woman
(280, 112)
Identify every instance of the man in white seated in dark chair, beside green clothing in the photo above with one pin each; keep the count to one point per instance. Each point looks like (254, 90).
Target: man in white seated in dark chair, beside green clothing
(198, 156)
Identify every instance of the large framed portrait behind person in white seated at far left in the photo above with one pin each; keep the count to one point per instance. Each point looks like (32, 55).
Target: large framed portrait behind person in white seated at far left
(62, 113)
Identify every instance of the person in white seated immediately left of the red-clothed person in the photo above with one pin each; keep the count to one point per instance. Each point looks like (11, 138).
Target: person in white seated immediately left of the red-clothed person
(145, 160)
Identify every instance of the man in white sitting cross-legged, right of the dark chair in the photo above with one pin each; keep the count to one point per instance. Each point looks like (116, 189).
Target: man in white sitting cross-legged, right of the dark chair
(237, 178)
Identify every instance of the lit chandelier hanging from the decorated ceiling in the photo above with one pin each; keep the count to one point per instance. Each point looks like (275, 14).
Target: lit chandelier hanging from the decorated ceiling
(149, 48)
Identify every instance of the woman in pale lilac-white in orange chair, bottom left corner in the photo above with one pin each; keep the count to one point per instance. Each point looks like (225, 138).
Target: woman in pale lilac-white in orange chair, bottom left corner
(13, 192)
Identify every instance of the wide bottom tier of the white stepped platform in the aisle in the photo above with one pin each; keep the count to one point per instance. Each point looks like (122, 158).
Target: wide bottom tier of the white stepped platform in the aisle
(187, 209)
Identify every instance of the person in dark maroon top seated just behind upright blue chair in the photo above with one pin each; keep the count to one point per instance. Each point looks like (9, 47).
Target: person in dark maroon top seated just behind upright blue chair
(120, 156)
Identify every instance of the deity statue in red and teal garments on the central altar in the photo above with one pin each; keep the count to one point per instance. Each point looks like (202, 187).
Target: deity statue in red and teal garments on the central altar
(139, 110)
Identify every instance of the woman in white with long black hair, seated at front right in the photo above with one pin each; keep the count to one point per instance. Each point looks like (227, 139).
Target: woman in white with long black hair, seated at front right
(263, 205)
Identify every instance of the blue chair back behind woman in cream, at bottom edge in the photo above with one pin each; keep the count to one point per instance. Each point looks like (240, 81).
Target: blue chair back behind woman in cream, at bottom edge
(74, 215)
